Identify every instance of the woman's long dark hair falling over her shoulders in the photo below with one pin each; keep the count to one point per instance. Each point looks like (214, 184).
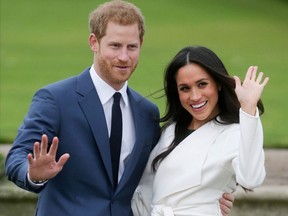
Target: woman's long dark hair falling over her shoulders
(228, 102)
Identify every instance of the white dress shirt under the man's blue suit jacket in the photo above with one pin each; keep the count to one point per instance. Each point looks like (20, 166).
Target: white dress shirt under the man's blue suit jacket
(105, 93)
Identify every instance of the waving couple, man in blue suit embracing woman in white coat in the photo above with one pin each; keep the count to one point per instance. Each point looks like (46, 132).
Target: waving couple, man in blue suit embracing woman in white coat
(62, 148)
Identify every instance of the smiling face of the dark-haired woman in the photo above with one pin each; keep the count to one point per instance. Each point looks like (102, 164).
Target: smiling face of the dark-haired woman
(198, 94)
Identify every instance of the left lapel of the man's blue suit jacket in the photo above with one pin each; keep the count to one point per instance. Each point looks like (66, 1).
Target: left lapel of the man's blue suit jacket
(93, 110)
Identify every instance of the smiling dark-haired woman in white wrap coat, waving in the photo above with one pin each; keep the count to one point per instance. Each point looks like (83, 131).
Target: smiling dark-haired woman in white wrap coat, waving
(212, 138)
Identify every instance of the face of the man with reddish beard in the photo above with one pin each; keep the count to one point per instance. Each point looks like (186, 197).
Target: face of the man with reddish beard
(117, 53)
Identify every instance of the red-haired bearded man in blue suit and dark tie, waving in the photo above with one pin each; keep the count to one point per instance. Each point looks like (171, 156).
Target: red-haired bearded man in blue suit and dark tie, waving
(74, 175)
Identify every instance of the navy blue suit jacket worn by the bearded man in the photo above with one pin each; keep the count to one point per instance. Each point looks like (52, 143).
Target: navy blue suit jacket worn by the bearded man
(71, 110)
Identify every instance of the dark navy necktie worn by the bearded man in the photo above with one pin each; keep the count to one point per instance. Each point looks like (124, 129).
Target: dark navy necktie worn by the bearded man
(116, 136)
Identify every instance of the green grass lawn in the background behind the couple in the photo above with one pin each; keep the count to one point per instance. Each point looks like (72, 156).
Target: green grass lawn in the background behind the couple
(45, 41)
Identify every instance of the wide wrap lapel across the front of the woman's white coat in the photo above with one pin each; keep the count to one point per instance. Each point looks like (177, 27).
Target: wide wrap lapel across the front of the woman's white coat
(181, 169)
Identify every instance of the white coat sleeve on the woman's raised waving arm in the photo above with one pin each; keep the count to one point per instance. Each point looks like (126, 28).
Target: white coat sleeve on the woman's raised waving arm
(249, 165)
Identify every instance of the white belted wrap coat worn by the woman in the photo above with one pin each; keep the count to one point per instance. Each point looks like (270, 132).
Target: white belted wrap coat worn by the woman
(207, 163)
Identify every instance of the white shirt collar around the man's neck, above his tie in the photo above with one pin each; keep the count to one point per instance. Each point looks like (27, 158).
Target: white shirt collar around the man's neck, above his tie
(104, 90)
